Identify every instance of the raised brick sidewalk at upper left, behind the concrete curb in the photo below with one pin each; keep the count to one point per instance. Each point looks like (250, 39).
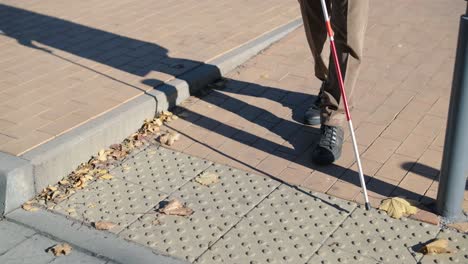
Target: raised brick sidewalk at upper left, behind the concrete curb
(65, 62)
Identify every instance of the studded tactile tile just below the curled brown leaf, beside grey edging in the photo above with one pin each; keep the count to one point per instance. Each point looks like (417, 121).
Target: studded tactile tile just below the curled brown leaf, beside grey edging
(183, 237)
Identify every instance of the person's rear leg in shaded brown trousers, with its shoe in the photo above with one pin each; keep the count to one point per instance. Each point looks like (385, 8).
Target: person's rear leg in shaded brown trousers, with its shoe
(316, 33)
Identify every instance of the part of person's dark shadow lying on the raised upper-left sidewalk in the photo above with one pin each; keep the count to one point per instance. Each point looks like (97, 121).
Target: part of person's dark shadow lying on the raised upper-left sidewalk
(49, 34)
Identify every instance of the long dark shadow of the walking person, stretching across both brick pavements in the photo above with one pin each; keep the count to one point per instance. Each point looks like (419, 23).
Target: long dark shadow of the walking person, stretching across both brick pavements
(140, 58)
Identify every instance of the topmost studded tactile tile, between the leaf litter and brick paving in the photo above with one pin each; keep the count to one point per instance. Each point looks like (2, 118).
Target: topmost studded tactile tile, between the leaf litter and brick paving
(160, 168)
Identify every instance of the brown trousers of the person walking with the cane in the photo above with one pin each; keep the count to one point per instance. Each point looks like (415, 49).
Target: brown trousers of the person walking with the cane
(349, 22)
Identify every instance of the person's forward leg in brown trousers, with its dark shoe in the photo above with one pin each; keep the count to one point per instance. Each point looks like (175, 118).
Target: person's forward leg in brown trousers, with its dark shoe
(349, 22)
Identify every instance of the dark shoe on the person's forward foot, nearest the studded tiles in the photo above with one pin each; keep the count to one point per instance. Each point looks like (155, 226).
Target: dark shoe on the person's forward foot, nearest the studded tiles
(328, 149)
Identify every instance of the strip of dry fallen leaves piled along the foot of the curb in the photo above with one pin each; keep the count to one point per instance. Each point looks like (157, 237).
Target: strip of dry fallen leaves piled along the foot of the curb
(98, 166)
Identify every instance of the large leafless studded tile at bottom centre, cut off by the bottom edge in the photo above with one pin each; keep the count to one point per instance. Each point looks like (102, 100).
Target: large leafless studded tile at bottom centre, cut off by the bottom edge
(251, 242)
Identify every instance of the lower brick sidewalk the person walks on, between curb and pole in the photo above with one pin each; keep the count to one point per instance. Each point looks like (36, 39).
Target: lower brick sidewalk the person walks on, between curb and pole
(254, 122)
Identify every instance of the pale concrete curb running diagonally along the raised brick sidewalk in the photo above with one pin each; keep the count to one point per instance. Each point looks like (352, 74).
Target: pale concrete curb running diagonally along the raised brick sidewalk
(58, 157)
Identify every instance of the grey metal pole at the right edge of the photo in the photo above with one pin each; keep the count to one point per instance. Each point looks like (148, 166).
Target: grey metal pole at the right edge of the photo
(454, 170)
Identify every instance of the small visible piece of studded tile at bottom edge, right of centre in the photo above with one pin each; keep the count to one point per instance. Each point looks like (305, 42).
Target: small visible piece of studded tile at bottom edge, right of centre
(333, 255)
